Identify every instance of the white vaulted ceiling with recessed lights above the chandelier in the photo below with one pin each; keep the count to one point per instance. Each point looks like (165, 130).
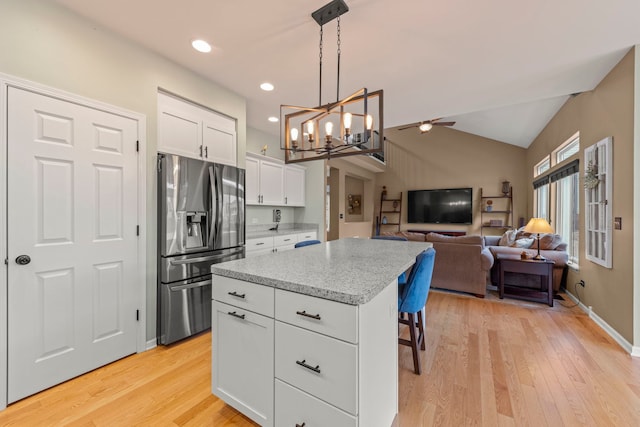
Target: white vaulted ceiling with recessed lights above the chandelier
(499, 68)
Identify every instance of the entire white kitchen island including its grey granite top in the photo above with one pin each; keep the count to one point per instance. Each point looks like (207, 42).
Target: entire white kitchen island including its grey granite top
(309, 337)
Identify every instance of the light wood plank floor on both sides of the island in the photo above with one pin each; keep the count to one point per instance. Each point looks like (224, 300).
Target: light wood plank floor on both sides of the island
(488, 362)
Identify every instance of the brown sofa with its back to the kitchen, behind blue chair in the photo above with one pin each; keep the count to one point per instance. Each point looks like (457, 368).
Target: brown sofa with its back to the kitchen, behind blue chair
(462, 263)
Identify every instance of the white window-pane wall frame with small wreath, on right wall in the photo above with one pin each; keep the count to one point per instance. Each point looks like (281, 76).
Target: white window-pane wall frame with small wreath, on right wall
(597, 194)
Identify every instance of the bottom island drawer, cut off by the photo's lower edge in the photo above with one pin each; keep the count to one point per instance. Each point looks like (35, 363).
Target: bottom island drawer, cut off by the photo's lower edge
(295, 407)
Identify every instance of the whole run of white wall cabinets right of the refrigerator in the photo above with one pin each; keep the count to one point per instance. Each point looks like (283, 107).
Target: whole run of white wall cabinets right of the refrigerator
(271, 182)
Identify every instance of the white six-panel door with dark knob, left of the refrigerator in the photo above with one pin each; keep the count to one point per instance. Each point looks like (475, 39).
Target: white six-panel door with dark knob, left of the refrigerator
(72, 209)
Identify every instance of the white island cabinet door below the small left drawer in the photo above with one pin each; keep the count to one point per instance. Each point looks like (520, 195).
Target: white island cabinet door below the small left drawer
(242, 361)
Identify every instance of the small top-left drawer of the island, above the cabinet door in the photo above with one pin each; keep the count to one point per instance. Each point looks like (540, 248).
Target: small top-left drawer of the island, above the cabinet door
(245, 295)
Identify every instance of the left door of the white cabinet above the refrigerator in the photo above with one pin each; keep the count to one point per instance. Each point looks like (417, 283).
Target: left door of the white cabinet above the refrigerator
(178, 132)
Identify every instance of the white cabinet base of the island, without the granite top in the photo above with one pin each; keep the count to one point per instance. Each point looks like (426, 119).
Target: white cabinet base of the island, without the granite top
(331, 364)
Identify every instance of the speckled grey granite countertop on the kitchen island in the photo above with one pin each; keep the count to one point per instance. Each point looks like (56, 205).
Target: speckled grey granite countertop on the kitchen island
(350, 271)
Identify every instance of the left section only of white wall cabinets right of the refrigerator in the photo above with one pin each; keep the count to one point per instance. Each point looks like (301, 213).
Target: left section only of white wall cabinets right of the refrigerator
(264, 181)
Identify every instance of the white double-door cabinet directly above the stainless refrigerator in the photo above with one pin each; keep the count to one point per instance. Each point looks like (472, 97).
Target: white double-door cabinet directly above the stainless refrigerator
(188, 130)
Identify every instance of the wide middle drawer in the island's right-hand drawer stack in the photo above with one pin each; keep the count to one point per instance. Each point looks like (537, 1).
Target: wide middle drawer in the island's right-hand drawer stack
(322, 366)
